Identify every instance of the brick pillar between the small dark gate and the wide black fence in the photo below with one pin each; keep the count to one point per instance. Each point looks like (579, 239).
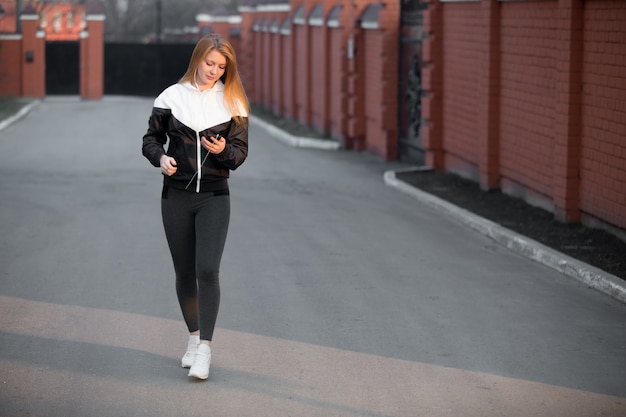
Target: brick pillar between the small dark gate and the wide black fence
(92, 57)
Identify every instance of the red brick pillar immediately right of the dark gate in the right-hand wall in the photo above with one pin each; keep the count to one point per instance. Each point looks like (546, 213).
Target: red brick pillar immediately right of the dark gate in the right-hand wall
(432, 70)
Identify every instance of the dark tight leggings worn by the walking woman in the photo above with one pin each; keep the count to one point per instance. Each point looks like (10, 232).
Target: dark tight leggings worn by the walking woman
(196, 225)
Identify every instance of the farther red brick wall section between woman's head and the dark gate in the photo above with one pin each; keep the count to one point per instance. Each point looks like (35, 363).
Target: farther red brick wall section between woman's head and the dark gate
(305, 71)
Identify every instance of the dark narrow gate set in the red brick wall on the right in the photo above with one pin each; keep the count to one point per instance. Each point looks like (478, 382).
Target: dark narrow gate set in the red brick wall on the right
(410, 147)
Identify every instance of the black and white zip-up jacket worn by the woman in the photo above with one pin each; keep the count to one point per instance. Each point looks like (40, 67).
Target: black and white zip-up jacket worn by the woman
(184, 114)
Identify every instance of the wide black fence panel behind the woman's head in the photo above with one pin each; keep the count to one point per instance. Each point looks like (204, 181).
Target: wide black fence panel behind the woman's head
(143, 69)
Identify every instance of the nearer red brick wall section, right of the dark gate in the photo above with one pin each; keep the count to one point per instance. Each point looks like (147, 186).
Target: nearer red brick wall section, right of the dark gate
(548, 120)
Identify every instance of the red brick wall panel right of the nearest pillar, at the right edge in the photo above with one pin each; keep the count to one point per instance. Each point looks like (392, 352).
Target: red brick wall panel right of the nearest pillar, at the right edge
(603, 136)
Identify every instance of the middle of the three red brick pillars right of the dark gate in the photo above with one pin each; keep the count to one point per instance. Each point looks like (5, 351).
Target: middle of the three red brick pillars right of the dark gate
(489, 97)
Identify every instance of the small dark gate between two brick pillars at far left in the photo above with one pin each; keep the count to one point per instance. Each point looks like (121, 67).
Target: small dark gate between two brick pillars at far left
(62, 68)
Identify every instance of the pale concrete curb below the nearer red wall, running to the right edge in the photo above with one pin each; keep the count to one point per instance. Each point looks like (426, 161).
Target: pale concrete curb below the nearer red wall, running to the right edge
(593, 277)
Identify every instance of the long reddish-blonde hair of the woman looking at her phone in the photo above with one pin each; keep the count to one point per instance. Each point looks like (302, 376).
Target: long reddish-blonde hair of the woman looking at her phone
(235, 98)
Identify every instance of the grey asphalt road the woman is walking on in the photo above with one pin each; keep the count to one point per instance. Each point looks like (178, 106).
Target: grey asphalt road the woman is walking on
(340, 295)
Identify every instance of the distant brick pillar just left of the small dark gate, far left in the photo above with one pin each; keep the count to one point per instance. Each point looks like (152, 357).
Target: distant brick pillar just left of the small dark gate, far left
(33, 56)
